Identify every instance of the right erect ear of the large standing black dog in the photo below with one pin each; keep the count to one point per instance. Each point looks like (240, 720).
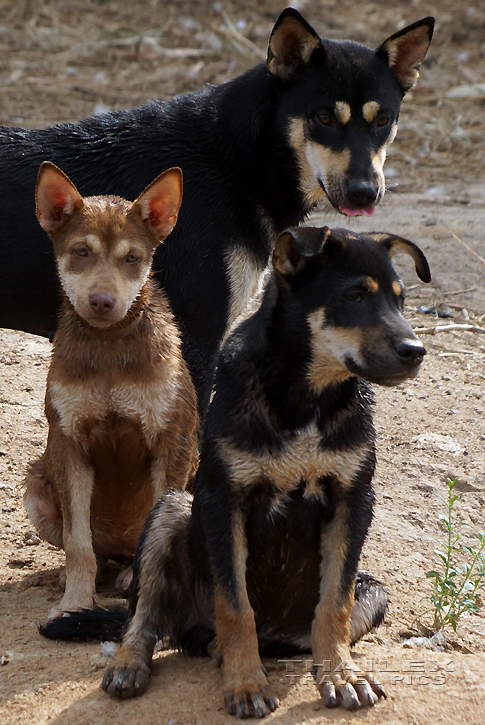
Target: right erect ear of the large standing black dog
(405, 51)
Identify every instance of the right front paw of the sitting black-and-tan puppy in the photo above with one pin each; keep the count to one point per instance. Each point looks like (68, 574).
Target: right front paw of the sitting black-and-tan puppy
(352, 690)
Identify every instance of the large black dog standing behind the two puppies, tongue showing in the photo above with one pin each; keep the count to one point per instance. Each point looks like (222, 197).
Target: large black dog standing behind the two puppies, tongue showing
(257, 153)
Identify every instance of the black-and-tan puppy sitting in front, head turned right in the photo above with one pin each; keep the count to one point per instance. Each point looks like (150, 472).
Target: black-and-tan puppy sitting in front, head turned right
(283, 496)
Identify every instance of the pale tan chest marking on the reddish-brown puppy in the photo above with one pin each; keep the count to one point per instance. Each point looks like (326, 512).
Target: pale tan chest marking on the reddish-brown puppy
(150, 404)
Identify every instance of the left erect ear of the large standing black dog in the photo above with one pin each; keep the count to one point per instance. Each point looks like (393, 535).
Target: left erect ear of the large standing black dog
(291, 45)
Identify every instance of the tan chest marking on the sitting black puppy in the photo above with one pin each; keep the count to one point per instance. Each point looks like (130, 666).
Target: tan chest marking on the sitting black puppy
(302, 459)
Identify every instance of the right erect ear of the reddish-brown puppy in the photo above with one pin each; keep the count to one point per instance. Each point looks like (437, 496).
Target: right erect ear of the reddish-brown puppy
(159, 204)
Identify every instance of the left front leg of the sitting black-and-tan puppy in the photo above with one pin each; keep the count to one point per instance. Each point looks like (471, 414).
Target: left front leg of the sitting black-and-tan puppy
(245, 686)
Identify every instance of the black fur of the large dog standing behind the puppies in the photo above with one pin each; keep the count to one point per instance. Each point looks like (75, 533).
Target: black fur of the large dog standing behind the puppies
(240, 183)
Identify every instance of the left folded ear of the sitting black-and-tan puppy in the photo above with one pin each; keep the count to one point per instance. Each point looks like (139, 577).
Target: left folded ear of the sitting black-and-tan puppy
(295, 247)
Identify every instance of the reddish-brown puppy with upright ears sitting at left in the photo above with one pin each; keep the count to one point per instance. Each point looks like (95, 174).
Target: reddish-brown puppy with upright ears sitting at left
(120, 402)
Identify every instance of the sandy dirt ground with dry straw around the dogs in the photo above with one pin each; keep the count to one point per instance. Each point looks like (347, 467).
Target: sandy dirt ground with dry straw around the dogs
(64, 60)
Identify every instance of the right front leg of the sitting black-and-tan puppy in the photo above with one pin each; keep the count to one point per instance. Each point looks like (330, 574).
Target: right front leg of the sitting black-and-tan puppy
(338, 678)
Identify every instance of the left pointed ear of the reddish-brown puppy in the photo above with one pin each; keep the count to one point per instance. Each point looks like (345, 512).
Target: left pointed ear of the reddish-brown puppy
(56, 198)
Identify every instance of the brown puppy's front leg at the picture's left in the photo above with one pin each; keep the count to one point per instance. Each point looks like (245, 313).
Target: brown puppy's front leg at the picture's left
(75, 485)
